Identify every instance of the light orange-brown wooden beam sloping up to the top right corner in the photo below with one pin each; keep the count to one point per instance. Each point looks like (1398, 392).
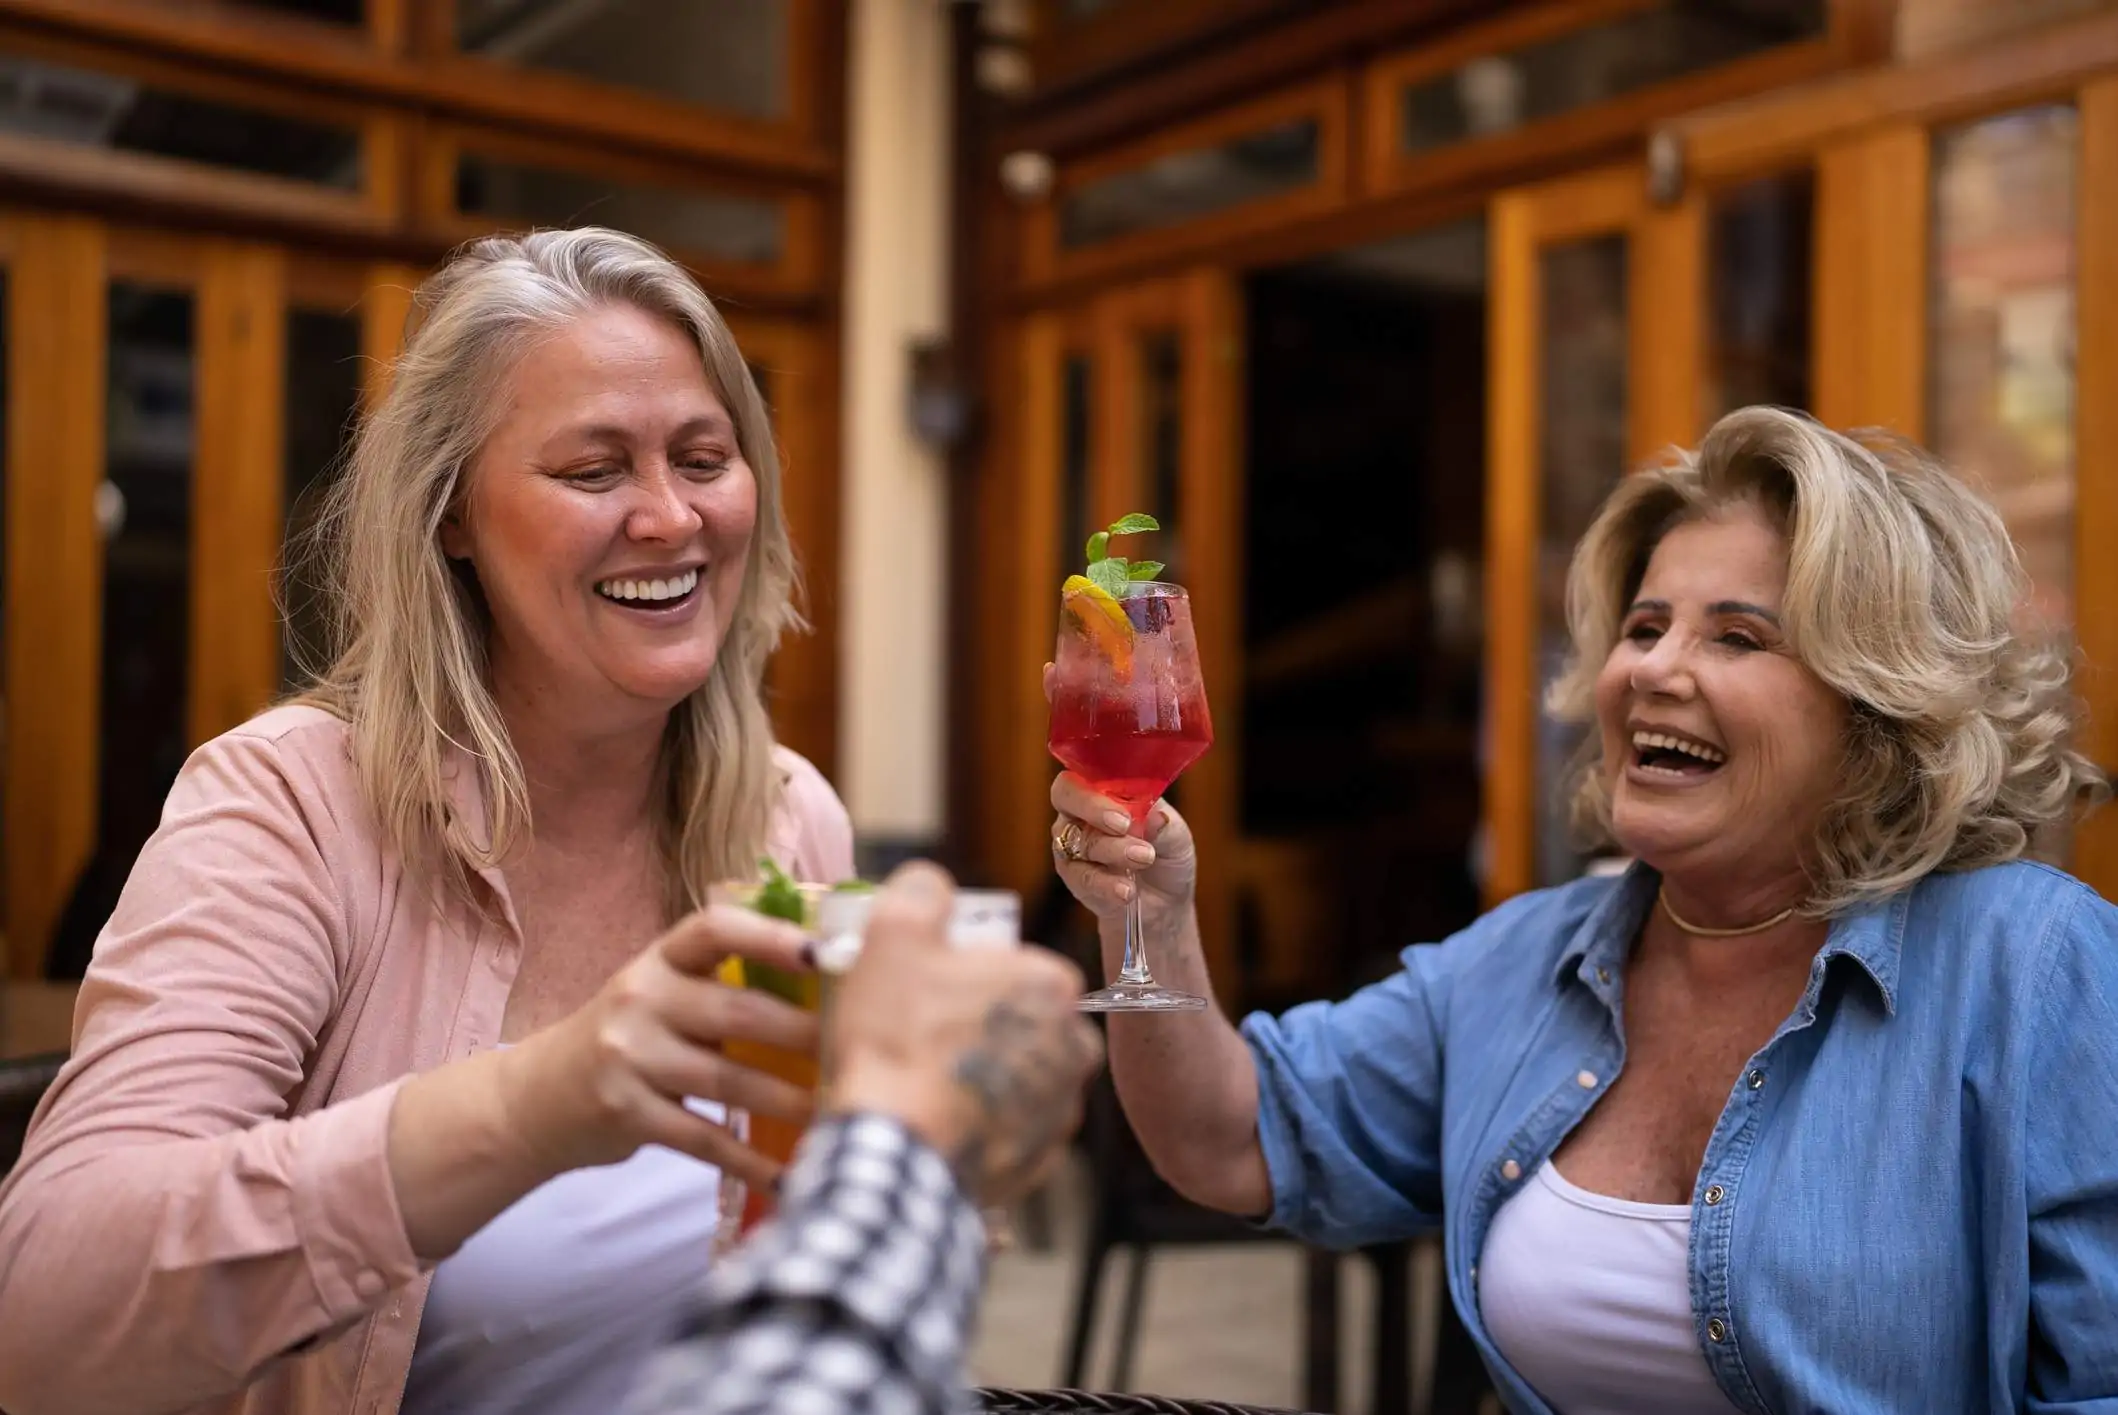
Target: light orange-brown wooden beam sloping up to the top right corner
(1778, 130)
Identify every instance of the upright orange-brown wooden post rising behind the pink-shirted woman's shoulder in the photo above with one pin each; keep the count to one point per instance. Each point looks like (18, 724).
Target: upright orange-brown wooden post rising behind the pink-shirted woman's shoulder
(240, 471)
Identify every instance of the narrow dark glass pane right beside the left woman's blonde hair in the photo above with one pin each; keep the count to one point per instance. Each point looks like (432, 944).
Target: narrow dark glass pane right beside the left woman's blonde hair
(323, 393)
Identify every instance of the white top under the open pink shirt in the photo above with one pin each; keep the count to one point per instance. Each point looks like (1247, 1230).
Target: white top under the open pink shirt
(556, 1306)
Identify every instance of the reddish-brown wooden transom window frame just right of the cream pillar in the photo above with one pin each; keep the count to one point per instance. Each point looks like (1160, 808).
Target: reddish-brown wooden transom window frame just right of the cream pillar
(1327, 103)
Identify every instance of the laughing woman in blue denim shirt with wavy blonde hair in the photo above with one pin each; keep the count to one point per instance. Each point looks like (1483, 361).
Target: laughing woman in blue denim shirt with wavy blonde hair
(1816, 1109)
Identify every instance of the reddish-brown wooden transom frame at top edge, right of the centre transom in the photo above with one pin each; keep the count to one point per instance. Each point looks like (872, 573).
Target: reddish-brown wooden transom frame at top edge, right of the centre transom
(1562, 141)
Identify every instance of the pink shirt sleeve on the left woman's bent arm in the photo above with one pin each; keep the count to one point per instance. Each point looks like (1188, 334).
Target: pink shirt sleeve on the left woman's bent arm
(170, 1232)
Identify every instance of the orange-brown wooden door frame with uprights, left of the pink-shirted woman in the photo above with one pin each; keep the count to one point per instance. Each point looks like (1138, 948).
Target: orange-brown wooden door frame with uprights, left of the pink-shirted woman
(58, 351)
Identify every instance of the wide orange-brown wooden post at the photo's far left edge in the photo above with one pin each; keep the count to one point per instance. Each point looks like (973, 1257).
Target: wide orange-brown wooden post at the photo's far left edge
(56, 332)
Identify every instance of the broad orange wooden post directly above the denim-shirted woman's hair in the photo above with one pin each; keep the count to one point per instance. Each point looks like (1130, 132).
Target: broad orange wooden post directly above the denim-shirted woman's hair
(1871, 293)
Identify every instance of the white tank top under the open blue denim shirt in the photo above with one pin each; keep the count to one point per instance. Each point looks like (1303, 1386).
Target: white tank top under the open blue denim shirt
(1592, 1300)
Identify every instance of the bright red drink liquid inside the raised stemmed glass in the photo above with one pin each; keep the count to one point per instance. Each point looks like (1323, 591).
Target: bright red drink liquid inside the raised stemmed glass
(1124, 749)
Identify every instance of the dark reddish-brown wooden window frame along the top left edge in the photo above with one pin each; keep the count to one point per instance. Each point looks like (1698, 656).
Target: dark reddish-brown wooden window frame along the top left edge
(397, 62)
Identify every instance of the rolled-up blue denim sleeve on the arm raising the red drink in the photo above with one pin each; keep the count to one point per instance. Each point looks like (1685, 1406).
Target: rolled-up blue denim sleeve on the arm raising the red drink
(1350, 1103)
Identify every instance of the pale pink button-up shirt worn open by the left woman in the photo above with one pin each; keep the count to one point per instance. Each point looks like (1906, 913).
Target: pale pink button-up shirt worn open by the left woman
(204, 1217)
